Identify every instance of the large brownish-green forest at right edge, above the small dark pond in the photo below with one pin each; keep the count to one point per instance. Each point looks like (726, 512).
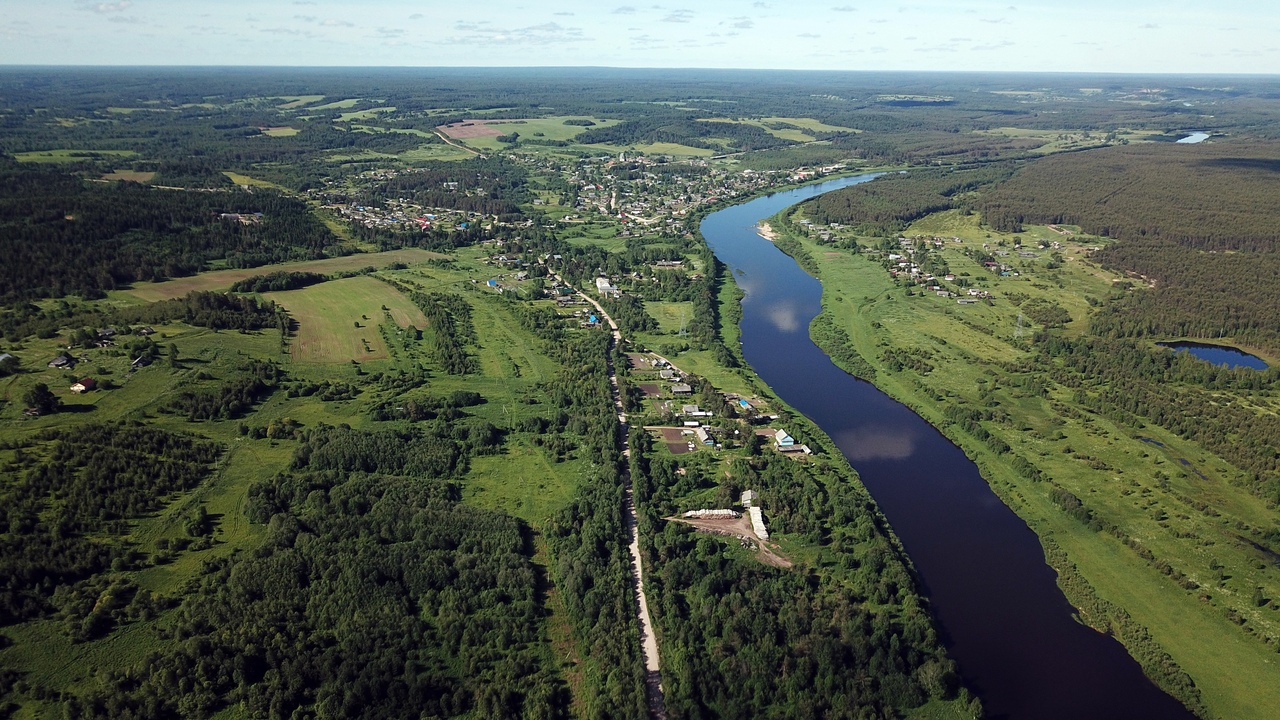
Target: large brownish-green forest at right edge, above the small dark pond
(1197, 222)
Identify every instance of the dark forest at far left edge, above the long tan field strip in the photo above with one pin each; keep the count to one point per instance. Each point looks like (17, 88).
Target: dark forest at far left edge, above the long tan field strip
(63, 236)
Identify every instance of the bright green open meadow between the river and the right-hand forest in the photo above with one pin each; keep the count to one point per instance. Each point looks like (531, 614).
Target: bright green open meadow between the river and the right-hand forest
(1237, 675)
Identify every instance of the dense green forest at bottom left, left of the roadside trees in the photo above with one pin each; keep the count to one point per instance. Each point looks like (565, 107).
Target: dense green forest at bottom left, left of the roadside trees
(376, 595)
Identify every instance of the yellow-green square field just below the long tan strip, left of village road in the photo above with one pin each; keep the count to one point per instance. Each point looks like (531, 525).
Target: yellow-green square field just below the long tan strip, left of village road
(328, 313)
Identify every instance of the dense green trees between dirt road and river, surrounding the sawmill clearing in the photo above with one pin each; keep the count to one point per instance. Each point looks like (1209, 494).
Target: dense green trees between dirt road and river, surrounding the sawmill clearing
(735, 649)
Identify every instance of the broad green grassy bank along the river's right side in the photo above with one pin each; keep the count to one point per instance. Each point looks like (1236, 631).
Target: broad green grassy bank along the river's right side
(934, 354)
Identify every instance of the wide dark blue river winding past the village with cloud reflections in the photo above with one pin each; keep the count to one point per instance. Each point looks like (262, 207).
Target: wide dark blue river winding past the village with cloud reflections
(1003, 617)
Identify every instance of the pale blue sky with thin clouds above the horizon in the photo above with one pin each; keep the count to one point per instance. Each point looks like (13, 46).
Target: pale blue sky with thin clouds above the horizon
(1117, 37)
